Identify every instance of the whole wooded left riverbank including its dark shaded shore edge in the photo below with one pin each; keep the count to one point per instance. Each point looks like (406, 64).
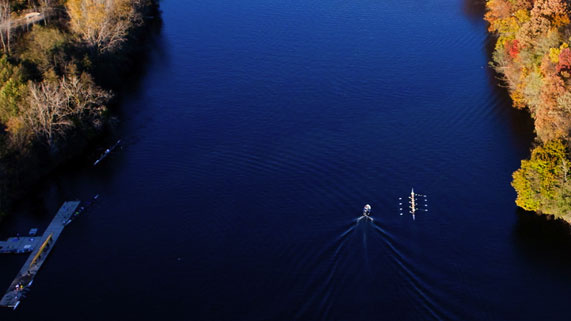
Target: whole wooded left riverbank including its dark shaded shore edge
(59, 84)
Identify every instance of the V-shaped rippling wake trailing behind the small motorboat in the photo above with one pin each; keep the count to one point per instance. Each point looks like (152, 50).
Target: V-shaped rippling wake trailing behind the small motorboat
(339, 256)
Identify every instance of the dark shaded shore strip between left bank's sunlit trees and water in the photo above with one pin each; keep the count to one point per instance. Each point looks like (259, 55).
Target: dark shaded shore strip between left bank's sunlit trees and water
(119, 73)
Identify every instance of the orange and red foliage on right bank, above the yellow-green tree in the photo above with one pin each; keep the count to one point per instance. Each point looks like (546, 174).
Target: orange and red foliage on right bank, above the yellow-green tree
(531, 38)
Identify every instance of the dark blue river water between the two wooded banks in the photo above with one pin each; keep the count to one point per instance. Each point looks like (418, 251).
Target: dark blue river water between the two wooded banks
(254, 138)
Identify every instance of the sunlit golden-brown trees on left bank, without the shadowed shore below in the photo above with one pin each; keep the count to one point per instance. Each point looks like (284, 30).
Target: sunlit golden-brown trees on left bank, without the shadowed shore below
(53, 93)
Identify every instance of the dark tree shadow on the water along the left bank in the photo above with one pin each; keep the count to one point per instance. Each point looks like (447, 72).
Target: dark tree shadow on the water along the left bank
(42, 200)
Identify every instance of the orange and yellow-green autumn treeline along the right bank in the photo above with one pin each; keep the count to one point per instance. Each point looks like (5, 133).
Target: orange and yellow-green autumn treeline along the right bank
(533, 54)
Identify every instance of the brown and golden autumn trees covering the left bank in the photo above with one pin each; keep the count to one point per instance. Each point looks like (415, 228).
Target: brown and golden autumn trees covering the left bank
(54, 66)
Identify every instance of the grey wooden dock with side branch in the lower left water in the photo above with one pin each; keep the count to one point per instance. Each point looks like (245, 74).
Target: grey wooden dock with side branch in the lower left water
(42, 246)
